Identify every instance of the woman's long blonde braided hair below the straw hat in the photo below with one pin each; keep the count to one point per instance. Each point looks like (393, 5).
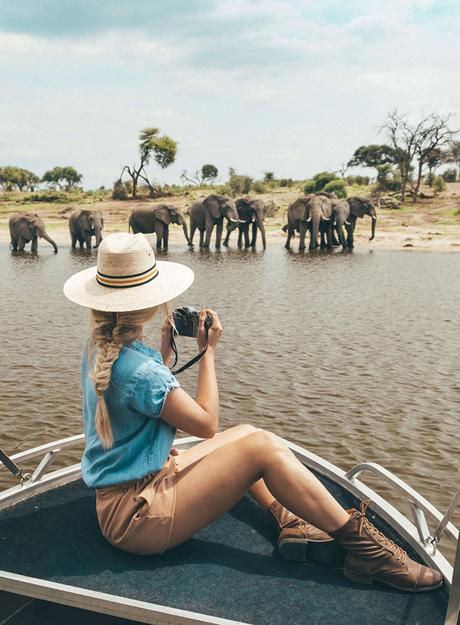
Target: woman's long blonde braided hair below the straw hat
(109, 332)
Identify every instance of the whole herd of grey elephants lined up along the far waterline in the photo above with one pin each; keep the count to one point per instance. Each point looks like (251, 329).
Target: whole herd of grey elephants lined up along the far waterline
(318, 214)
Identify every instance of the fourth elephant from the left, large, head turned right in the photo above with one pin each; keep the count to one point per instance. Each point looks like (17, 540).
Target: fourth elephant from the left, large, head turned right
(210, 212)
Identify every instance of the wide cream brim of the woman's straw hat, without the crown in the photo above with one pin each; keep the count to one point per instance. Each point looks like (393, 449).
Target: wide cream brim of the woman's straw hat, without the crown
(172, 279)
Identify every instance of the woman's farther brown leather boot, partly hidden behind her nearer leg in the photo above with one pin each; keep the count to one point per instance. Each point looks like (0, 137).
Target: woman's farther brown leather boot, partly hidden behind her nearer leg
(295, 533)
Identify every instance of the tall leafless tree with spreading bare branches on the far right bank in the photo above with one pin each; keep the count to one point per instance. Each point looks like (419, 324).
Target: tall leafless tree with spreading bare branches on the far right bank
(415, 142)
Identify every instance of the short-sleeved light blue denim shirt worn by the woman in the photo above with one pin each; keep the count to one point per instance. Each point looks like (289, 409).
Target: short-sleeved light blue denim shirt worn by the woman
(138, 388)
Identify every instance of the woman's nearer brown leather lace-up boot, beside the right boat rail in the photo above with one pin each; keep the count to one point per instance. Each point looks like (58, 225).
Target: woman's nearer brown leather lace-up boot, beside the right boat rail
(371, 556)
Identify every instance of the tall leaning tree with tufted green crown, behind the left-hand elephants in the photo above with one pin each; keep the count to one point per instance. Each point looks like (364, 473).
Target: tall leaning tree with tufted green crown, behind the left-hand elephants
(163, 149)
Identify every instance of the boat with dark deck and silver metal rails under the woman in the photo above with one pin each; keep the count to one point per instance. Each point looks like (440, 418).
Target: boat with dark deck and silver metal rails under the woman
(55, 566)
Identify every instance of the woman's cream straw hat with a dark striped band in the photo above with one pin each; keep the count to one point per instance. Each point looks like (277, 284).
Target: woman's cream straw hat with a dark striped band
(127, 277)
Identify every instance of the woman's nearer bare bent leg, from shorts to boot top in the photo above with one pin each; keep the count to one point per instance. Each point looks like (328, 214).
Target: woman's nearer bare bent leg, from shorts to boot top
(209, 487)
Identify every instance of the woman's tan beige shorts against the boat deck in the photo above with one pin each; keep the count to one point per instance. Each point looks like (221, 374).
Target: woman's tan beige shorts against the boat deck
(137, 516)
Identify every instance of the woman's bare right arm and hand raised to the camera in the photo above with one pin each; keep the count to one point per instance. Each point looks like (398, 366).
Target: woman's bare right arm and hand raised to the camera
(199, 416)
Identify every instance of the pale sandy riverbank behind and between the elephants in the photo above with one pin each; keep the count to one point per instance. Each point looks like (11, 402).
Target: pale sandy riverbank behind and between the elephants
(431, 224)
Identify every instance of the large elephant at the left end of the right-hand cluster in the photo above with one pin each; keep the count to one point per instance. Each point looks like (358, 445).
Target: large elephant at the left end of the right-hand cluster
(310, 212)
